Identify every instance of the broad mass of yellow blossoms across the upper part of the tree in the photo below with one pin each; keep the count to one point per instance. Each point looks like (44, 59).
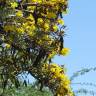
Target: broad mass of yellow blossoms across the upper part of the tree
(47, 19)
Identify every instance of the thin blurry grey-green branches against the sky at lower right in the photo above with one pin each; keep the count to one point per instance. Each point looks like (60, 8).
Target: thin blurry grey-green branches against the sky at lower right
(81, 84)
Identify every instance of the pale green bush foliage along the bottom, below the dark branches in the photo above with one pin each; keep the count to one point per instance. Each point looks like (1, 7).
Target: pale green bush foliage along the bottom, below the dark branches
(26, 91)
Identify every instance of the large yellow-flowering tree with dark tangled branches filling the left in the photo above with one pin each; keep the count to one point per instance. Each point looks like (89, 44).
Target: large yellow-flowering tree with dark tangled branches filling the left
(31, 34)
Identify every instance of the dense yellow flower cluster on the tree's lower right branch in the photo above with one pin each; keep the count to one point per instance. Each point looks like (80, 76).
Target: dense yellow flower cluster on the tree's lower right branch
(57, 77)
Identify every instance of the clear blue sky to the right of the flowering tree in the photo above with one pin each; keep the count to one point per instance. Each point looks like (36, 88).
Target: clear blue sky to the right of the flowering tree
(81, 39)
